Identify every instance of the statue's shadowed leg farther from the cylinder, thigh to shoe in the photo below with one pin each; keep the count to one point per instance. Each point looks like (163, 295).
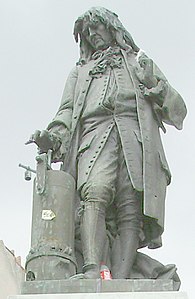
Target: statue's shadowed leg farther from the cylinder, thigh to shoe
(128, 205)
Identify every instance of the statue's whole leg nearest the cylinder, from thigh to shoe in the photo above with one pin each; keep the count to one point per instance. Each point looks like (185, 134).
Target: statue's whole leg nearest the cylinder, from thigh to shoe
(96, 194)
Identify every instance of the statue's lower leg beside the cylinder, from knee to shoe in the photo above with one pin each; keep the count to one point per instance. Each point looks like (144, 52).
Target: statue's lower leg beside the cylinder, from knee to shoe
(93, 227)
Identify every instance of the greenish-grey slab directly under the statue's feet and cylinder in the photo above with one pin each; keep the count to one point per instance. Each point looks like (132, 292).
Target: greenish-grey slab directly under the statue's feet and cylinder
(97, 286)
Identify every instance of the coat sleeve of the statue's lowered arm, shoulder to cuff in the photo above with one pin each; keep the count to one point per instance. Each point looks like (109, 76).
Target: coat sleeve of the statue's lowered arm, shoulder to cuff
(64, 114)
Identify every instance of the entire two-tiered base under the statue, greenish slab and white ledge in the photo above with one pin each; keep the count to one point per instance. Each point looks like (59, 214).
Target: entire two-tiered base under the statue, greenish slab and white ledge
(100, 289)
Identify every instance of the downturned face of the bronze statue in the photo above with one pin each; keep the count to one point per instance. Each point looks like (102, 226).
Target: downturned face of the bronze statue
(98, 36)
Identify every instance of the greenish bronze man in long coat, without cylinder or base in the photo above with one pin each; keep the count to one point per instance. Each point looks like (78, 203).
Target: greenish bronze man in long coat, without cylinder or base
(106, 132)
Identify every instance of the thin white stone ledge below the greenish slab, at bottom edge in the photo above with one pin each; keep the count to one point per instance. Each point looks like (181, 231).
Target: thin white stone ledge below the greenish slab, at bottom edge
(118, 295)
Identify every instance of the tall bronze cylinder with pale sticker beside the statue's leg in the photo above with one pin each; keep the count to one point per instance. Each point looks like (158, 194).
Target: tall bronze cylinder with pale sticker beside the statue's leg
(52, 237)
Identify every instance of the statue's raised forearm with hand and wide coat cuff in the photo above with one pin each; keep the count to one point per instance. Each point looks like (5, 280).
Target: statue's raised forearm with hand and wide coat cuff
(168, 105)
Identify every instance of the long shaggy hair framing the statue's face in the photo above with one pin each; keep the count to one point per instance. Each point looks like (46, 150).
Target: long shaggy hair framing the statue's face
(120, 35)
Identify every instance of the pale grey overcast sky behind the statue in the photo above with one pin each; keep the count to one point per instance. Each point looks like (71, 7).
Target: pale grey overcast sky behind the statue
(36, 54)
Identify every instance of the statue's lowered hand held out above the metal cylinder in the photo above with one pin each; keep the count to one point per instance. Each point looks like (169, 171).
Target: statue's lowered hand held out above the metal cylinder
(44, 140)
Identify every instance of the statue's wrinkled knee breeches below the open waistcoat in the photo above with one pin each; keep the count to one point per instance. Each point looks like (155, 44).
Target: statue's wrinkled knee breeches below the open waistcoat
(109, 186)
